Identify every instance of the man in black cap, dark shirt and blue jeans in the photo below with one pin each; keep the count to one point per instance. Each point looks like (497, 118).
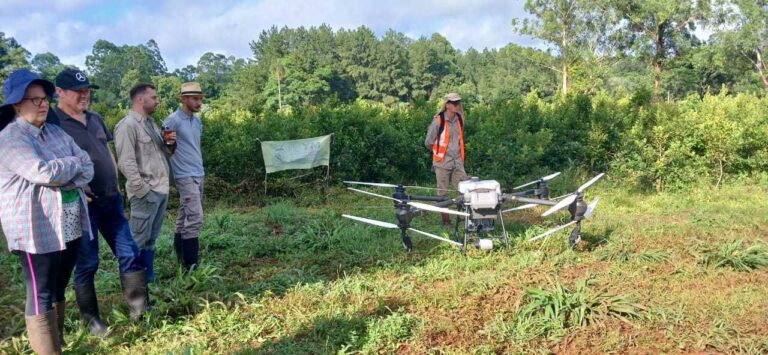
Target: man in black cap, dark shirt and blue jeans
(106, 205)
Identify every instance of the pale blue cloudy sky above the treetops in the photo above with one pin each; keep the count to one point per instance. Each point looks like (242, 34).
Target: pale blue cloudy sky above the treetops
(184, 30)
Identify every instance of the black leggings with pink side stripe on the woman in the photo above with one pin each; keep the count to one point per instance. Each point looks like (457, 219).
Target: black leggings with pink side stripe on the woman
(46, 276)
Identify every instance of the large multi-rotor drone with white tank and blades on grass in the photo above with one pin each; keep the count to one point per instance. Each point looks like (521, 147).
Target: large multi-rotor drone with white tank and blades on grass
(479, 203)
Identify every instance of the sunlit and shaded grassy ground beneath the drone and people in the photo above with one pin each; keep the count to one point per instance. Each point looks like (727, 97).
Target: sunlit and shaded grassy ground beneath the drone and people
(659, 273)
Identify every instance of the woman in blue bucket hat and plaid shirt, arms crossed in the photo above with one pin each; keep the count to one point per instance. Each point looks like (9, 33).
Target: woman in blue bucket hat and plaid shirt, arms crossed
(43, 208)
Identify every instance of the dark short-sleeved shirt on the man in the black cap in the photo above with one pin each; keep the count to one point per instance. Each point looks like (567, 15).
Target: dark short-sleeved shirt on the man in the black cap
(93, 139)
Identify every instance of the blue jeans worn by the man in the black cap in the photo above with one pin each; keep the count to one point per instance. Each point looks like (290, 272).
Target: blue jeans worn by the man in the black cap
(107, 217)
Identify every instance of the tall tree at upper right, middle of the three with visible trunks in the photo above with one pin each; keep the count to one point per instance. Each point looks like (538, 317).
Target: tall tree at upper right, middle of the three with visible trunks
(660, 29)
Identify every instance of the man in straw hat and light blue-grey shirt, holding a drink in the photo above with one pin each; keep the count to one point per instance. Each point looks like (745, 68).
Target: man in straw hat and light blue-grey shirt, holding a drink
(187, 165)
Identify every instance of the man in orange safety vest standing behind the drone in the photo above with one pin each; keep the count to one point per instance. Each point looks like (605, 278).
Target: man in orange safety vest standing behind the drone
(445, 138)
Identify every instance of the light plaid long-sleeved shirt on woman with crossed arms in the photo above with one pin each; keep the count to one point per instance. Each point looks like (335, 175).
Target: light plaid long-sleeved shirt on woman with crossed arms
(35, 165)
